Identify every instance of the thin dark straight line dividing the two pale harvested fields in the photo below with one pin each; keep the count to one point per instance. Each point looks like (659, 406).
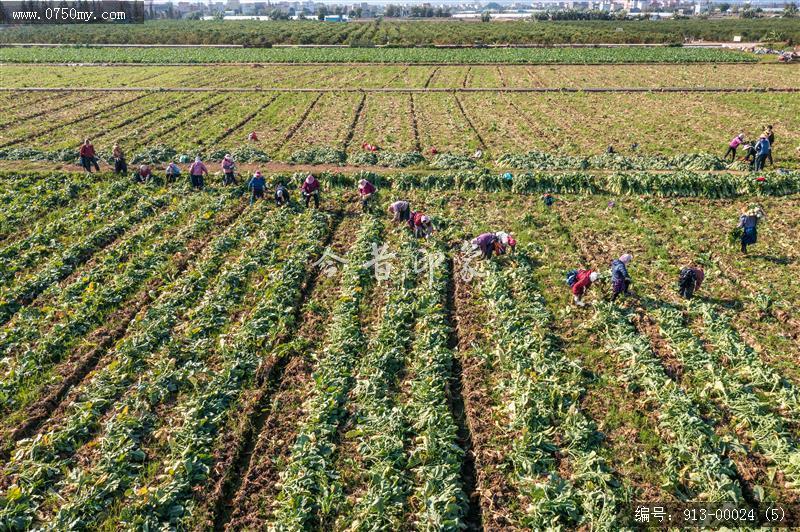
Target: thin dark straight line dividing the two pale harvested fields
(150, 90)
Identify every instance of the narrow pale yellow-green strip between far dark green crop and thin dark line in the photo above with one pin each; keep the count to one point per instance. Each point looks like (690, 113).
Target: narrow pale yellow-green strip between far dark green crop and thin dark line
(718, 76)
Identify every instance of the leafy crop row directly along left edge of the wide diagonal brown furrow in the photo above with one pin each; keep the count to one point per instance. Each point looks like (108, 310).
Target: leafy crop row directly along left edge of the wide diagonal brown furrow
(170, 499)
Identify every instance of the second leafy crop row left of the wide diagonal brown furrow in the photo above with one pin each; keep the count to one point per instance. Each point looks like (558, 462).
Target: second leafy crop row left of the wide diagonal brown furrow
(178, 368)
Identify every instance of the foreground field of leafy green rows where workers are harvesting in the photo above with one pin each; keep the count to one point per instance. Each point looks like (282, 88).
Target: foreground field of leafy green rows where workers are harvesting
(192, 363)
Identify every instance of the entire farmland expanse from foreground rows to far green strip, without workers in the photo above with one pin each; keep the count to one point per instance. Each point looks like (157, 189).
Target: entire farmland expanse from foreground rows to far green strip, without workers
(174, 359)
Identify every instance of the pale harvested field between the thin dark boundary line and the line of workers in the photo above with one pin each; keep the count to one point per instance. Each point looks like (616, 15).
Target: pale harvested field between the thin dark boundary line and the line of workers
(573, 124)
